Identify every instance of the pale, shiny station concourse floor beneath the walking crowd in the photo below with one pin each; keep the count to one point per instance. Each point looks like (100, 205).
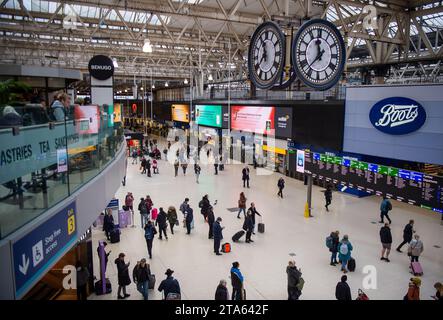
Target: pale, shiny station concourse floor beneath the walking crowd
(263, 262)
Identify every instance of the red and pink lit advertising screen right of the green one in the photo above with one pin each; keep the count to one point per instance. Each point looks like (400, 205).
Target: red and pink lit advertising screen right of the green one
(253, 119)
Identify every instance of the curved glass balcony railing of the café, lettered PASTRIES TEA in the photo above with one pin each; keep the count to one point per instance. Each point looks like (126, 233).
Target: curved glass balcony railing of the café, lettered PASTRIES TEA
(42, 164)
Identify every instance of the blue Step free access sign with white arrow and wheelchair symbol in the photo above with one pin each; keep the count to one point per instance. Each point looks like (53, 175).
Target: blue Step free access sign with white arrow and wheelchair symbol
(43, 246)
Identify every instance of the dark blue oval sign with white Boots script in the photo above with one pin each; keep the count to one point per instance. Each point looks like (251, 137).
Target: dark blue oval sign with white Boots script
(397, 115)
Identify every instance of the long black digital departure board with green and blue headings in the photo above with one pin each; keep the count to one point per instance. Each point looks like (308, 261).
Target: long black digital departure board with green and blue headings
(403, 185)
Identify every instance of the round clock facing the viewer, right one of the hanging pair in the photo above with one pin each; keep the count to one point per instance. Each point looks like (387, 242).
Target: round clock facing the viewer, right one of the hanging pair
(318, 54)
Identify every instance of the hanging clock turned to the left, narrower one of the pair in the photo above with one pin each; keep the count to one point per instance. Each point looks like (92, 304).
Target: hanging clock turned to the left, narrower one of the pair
(266, 55)
